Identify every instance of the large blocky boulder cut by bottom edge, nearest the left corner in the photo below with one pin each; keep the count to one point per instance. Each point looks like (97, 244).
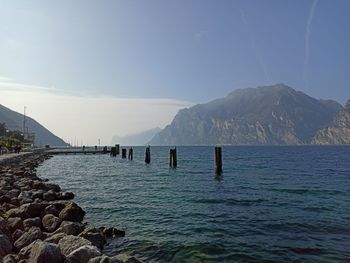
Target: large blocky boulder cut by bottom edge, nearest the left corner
(44, 252)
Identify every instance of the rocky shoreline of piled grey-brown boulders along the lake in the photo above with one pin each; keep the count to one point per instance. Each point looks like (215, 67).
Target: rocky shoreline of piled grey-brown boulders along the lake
(41, 223)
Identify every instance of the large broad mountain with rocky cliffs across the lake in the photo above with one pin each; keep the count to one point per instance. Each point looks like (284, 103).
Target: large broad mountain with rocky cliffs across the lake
(271, 115)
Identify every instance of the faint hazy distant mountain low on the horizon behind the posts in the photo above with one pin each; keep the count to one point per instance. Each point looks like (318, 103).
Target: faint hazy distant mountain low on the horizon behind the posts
(141, 138)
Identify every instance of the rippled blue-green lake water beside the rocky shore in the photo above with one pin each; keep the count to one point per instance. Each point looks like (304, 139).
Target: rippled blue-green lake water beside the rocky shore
(271, 204)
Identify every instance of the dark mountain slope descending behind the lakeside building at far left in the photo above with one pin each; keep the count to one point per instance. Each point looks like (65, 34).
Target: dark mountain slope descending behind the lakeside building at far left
(14, 121)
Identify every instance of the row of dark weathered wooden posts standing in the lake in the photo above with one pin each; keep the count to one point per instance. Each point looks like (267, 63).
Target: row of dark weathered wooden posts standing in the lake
(172, 159)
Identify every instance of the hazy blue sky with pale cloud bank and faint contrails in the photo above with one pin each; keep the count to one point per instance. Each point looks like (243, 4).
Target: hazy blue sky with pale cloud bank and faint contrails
(92, 69)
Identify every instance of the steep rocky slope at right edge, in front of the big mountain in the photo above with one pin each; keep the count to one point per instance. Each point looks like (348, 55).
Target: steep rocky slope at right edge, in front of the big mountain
(338, 131)
